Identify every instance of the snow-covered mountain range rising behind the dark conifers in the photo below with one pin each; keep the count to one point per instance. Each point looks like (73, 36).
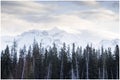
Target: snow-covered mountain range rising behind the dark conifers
(55, 35)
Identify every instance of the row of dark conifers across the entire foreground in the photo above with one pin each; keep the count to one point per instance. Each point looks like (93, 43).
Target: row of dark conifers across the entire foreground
(66, 63)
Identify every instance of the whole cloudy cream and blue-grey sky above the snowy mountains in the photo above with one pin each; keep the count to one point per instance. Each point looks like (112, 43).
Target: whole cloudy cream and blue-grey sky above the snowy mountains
(97, 17)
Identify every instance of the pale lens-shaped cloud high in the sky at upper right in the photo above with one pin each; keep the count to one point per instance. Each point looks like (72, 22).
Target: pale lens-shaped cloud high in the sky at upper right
(98, 15)
